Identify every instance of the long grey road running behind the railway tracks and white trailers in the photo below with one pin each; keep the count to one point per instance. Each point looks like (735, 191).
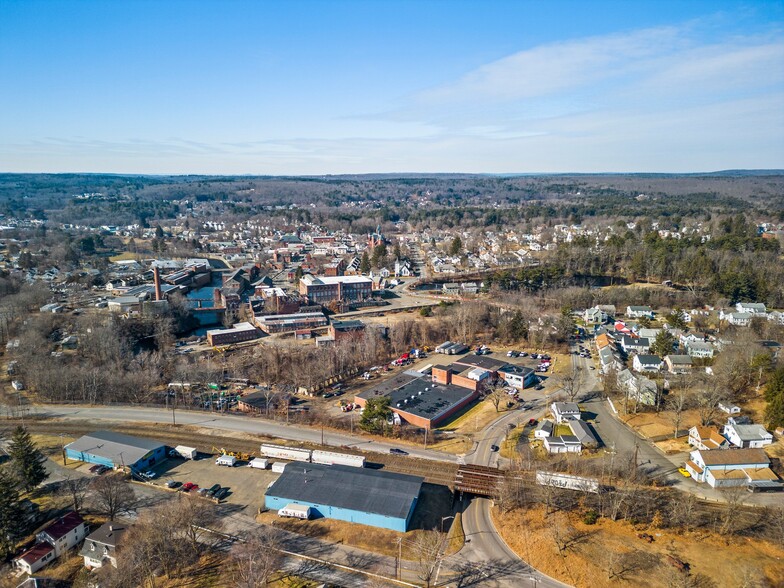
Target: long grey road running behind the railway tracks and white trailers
(239, 423)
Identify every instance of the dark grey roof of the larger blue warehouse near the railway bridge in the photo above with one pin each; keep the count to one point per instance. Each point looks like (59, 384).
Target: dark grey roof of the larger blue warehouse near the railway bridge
(351, 488)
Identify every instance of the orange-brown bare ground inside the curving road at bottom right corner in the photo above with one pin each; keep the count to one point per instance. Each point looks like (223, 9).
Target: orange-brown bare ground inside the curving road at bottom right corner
(591, 558)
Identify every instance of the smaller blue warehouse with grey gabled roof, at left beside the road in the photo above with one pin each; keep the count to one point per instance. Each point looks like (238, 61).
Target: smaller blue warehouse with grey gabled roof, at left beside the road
(116, 450)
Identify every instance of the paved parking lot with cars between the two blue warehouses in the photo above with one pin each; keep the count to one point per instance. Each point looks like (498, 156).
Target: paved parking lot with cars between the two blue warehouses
(246, 485)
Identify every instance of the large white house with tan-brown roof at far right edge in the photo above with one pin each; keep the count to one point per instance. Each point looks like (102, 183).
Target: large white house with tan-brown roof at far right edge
(731, 467)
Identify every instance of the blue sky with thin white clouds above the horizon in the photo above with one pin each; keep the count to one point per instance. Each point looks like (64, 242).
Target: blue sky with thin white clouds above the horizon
(335, 87)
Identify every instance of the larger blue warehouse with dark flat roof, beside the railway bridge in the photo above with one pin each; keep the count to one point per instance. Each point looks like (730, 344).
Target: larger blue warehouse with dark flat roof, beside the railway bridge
(357, 495)
